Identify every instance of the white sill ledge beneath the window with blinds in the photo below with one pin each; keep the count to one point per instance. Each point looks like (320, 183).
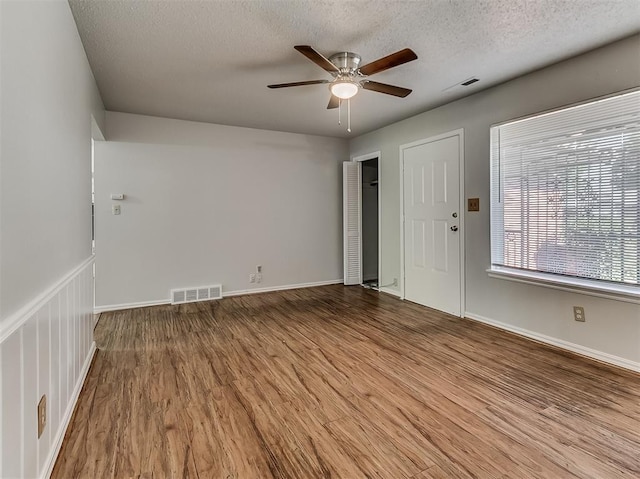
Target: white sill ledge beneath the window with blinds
(627, 293)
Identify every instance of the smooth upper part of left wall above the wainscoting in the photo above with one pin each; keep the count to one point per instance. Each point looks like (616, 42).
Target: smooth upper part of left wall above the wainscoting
(48, 95)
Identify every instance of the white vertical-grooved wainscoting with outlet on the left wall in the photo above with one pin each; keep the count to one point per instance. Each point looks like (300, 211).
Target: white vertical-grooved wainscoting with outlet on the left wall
(47, 352)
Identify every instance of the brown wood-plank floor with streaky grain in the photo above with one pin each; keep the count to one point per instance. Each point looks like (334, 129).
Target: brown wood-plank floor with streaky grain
(342, 383)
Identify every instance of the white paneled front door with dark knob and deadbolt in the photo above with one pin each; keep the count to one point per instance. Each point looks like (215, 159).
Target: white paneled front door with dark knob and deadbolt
(431, 190)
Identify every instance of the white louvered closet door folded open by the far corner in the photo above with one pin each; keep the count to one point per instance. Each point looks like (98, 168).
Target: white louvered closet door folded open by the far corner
(352, 212)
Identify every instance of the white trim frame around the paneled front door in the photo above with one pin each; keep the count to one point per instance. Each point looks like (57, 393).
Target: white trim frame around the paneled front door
(460, 134)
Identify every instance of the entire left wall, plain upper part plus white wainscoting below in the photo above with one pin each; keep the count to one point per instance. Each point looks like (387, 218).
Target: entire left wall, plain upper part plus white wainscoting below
(48, 96)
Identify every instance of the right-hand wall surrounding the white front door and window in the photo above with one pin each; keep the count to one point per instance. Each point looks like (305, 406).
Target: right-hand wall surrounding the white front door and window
(612, 327)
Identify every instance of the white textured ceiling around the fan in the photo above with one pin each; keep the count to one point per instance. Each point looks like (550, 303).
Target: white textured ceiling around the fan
(212, 60)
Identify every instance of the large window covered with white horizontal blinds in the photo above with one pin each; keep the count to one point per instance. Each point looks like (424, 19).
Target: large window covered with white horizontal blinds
(565, 199)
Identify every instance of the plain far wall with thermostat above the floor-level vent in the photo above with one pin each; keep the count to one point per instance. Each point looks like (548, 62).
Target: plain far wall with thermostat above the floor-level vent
(207, 203)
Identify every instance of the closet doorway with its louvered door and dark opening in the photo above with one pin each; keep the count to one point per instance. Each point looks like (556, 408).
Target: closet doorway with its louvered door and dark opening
(362, 221)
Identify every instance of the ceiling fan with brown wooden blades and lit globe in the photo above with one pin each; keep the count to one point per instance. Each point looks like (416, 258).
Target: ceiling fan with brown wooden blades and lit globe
(349, 76)
